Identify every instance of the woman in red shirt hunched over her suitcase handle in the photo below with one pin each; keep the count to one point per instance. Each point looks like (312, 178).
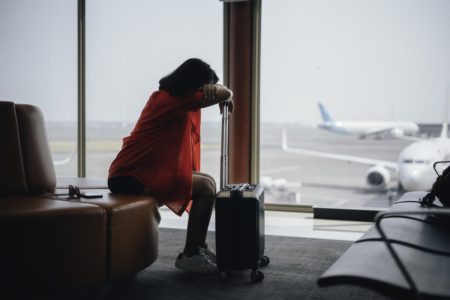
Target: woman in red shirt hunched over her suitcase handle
(161, 156)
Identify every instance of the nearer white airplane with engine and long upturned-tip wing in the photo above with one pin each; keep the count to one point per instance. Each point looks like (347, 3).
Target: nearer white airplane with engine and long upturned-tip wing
(414, 165)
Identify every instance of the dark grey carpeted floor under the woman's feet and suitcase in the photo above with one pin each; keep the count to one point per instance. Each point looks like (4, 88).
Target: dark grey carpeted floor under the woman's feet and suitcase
(295, 265)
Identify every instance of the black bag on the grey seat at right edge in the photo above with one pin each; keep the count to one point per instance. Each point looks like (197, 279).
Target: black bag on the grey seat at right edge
(440, 188)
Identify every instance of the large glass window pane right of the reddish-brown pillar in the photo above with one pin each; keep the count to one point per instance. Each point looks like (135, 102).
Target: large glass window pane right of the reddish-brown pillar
(378, 60)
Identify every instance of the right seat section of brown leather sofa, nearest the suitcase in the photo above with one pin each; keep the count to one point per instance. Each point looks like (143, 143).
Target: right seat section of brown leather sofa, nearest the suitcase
(133, 231)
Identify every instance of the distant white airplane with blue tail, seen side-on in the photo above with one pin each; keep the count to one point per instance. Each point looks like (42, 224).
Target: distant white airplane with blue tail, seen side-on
(378, 129)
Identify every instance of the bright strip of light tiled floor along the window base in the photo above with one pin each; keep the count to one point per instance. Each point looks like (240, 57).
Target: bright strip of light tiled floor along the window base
(287, 224)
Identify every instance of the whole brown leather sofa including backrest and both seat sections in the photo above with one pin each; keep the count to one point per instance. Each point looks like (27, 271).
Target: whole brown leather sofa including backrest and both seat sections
(50, 245)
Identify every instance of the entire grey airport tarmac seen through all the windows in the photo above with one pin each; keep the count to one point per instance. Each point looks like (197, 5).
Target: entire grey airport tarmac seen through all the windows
(310, 180)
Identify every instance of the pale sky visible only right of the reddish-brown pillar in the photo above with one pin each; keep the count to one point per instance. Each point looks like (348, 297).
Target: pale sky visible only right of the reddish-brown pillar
(363, 59)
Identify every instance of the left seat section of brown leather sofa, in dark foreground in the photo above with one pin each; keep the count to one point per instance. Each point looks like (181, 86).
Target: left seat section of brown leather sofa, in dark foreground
(49, 245)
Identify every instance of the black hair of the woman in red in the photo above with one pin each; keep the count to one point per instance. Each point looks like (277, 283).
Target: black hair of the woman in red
(188, 77)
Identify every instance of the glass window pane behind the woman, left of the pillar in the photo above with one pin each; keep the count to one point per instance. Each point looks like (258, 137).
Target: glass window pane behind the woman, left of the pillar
(129, 47)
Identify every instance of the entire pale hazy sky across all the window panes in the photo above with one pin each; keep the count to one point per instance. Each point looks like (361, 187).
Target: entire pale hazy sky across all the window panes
(363, 59)
